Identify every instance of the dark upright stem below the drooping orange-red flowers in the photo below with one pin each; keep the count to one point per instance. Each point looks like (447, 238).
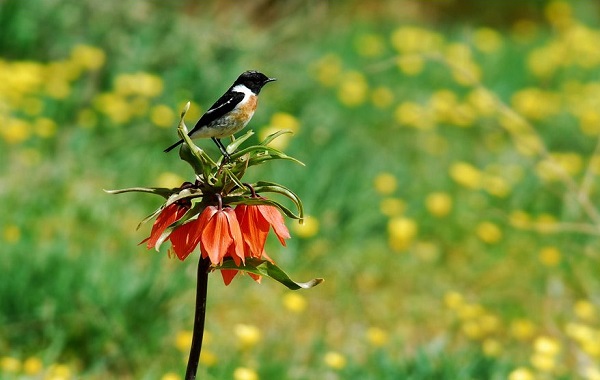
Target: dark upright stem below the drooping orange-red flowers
(199, 317)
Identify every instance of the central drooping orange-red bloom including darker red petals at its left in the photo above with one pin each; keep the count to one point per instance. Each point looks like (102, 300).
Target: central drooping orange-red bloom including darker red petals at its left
(216, 230)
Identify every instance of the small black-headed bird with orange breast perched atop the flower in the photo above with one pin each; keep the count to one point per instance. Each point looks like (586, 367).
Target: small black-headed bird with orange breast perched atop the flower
(231, 112)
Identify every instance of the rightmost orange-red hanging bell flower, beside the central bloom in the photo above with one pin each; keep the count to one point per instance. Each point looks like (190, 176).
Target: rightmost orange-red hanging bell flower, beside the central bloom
(255, 222)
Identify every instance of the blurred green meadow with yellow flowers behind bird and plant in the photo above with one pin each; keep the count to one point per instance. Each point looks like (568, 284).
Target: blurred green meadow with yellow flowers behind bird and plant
(451, 185)
